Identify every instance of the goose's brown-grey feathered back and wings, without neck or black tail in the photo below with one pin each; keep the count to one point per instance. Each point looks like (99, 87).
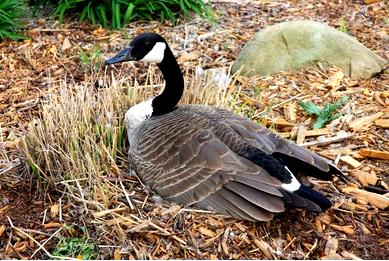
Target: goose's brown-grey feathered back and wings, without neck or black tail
(193, 156)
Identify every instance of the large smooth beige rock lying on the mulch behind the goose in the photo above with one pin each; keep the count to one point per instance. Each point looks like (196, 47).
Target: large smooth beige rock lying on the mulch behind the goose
(294, 45)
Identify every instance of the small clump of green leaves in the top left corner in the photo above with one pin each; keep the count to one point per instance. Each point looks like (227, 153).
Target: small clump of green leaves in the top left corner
(11, 13)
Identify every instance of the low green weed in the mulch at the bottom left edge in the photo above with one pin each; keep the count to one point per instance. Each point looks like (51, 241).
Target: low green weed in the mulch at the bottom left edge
(76, 247)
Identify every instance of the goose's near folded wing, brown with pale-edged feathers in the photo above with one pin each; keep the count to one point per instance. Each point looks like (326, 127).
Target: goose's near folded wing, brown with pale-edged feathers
(181, 159)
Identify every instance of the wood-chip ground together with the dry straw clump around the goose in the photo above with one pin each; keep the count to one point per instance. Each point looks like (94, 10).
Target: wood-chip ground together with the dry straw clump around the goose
(63, 167)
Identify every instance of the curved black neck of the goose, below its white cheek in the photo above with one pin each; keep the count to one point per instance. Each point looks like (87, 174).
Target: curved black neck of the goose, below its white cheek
(174, 86)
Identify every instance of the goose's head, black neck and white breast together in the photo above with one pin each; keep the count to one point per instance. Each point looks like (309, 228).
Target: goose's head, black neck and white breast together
(151, 47)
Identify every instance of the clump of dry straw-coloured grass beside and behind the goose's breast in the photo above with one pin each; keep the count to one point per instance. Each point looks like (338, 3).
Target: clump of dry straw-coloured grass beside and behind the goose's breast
(78, 147)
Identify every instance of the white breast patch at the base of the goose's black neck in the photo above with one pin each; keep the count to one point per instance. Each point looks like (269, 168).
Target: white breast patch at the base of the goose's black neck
(138, 113)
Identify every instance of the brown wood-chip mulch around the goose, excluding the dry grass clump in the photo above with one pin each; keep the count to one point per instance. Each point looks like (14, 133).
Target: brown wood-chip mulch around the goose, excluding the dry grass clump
(357, 225)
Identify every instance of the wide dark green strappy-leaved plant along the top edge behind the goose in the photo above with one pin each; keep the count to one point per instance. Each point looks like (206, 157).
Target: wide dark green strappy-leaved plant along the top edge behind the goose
(117, 13)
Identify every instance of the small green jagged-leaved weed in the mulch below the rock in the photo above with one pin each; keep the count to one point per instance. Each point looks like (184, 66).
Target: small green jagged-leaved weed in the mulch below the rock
(325, 114)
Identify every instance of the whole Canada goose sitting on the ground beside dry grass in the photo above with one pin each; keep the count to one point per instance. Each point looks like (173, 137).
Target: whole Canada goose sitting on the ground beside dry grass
(209, 157)
